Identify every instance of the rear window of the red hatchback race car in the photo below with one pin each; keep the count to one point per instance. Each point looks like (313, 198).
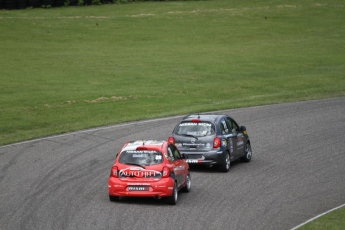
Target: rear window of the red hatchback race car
(141, 157)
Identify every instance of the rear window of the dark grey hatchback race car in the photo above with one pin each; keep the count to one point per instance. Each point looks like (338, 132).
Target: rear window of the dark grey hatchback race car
(197, 129)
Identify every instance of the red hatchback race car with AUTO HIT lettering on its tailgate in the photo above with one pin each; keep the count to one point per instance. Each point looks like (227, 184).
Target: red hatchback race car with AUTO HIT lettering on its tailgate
(149, 169)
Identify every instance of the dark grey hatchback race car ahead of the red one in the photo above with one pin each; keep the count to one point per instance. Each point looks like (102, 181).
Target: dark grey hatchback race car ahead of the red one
(211, 139)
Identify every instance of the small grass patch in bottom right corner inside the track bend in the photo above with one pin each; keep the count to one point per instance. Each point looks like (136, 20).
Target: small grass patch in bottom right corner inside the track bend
(332, 221)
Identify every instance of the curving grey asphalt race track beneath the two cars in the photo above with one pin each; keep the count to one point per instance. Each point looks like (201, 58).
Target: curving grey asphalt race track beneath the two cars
(297, 172)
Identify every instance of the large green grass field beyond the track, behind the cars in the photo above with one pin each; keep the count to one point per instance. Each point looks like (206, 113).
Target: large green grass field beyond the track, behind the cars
(71, 68)
